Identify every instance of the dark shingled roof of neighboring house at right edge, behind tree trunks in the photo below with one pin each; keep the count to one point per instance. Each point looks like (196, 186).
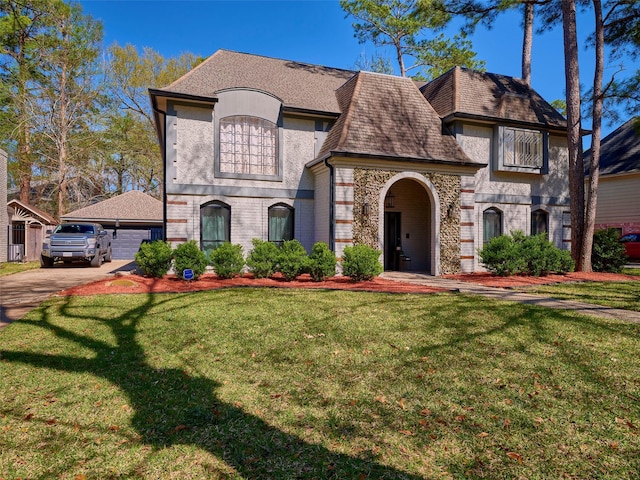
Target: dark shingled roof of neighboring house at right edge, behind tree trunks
(620, 150)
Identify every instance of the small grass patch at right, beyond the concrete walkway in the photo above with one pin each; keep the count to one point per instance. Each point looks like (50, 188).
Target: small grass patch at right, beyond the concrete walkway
(625, 295)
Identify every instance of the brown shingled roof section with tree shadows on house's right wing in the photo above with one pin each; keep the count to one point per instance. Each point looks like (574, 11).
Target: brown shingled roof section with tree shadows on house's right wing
(467, 93)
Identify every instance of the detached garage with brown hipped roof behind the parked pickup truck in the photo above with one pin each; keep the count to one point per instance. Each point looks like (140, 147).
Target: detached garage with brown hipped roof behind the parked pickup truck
(130, 217)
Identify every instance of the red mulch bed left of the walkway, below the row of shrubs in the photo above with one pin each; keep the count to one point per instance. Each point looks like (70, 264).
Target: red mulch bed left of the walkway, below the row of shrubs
(171, 284)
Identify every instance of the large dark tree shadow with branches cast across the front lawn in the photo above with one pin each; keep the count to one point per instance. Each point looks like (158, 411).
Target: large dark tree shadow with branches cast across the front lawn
(172, 407)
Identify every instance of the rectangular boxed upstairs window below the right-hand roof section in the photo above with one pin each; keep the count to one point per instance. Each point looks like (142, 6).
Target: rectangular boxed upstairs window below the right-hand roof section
(521, 150)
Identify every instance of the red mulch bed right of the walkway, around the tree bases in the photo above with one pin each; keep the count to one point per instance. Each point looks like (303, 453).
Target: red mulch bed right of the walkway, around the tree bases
(490, 280)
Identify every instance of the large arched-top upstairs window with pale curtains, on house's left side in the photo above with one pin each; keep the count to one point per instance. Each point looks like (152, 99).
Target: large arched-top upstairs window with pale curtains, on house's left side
(248, 145)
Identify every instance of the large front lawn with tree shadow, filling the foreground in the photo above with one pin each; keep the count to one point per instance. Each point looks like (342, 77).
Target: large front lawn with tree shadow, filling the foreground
(281, 384)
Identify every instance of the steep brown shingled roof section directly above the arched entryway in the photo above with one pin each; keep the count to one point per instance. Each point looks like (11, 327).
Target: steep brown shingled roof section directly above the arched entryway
(387, 116)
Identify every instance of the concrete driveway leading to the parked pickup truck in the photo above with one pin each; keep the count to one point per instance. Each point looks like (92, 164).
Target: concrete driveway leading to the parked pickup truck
(22, 292)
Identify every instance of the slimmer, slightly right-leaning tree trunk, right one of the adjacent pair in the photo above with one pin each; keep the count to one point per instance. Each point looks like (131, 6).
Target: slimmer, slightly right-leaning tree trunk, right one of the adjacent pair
(594, 163)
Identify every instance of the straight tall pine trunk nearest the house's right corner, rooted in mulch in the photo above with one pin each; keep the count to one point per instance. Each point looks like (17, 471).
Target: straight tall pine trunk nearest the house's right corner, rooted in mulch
(574, 127)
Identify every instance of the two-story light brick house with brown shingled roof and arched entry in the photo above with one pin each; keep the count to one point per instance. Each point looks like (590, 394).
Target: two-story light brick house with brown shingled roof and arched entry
(256, 147)
